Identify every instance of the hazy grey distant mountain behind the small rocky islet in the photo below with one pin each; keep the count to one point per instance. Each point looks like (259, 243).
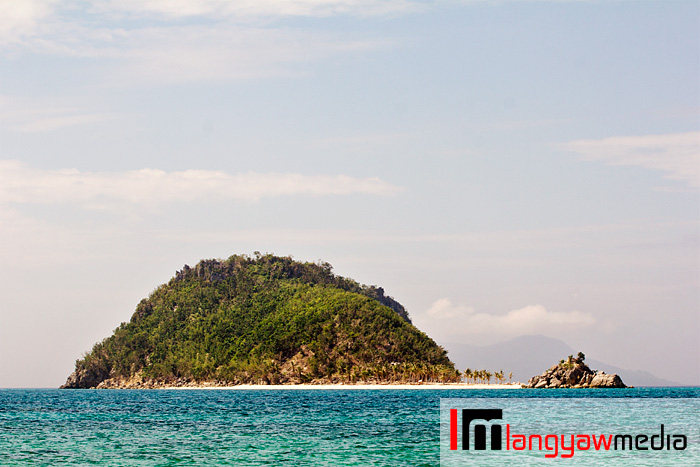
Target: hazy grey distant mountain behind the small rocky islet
(527, 356)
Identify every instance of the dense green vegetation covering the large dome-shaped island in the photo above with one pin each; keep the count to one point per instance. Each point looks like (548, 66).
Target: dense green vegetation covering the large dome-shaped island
(264, 319)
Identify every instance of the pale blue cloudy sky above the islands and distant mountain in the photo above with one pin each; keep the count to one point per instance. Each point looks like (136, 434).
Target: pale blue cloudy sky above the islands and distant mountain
(501, 168)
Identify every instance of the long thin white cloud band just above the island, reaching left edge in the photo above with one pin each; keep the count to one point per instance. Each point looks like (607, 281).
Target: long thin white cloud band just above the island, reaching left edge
(21, 184)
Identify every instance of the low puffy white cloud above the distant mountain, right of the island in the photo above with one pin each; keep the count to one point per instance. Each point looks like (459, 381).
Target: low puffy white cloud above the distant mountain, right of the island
(447, 321)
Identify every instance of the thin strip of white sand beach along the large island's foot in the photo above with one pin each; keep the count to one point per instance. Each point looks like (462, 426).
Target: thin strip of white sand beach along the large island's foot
(421, 386)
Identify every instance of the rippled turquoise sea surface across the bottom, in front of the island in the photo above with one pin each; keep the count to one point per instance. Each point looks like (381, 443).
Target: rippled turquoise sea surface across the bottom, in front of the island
(317, 427)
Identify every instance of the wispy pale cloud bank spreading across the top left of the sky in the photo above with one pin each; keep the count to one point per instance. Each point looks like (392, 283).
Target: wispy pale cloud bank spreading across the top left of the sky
(178, 41)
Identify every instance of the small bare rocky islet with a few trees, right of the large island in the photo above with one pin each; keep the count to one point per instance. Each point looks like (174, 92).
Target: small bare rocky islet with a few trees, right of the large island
(574, 373)
